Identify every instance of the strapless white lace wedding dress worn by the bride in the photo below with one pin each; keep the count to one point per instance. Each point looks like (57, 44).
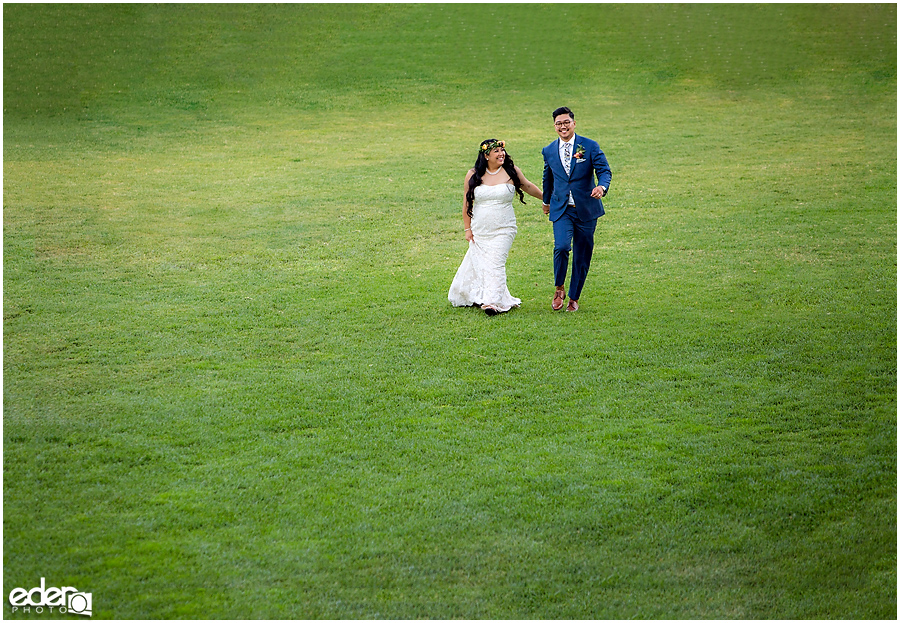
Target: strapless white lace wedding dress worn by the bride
(481, 278)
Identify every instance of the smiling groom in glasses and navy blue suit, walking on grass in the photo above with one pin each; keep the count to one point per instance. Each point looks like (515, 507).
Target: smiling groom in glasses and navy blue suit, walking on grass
(573, 203)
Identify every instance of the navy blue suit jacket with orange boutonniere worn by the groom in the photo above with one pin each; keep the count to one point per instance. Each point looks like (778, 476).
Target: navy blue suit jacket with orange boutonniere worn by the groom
(580, 181)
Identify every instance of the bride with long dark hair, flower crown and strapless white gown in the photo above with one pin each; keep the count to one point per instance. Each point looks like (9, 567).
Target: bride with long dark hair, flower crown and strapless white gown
(490, 227)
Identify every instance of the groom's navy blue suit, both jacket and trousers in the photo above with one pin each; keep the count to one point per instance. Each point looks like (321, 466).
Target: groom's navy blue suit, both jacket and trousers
(573, 226)
